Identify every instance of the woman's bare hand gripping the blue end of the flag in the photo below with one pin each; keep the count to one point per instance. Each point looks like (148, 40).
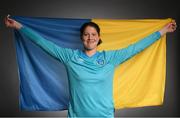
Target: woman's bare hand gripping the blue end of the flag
(12, 23)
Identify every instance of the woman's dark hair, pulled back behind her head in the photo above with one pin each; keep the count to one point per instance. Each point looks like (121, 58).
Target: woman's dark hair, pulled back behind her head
(92, 24)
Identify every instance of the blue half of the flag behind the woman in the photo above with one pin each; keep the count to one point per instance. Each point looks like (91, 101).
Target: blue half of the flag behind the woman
(43, 80)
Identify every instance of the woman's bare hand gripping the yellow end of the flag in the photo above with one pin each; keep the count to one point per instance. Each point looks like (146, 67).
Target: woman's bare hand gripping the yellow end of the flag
(170, 27)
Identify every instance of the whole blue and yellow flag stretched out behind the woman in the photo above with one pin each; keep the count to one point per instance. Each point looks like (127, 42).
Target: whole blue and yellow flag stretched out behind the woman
(138, 82)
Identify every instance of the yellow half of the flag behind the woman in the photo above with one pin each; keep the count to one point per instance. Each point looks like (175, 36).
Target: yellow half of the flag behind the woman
(140, 81)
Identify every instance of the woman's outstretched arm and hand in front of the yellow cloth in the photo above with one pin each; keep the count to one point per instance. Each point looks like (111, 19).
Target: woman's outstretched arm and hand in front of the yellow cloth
(119, 56)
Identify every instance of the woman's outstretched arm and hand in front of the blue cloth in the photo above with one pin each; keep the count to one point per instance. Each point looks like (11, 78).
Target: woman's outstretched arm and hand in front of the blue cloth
(63, 54)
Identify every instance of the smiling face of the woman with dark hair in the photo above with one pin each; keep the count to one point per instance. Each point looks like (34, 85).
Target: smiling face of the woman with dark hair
(90, 38)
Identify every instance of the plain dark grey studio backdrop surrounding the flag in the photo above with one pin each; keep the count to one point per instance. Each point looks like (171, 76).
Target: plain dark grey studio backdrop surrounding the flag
(112, 9)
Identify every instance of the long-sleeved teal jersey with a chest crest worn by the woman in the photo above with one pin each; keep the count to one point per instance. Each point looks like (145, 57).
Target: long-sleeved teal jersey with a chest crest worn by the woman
(90, 78)
